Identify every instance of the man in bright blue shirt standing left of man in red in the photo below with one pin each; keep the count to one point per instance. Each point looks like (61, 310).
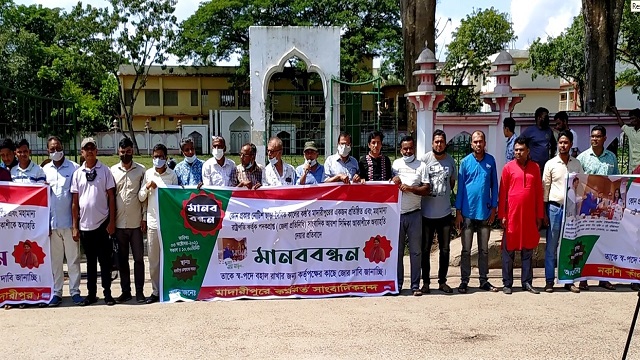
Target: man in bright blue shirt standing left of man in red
(476, 204)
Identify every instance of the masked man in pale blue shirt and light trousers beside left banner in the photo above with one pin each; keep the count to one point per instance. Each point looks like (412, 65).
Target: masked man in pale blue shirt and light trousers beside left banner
(59, 173)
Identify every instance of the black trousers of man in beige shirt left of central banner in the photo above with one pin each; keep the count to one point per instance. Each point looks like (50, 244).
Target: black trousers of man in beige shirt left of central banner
(131, 238)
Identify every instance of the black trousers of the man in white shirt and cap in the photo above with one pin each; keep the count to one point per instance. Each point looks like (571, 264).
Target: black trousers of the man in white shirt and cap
(98, 249)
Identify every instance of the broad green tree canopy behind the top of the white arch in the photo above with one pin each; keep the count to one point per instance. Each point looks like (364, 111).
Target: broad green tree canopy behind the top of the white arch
(219, 30)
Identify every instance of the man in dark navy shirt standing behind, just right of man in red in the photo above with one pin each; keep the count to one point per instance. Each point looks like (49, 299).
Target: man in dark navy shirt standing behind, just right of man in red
(541, 140)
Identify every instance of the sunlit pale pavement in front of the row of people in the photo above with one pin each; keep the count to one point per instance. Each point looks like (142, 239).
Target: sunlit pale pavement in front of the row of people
(479, 325)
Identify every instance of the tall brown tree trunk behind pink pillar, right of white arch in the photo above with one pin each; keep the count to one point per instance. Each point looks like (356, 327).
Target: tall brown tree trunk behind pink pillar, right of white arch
(418, 27)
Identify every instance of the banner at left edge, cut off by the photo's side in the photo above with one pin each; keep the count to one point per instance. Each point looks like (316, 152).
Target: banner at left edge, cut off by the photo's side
(25, 261)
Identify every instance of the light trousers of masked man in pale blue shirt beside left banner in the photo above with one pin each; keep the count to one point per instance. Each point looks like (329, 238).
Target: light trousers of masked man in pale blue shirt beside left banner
(62, 245)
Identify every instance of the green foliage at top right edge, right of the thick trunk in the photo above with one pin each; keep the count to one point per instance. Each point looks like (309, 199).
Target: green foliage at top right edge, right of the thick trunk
(628, 51)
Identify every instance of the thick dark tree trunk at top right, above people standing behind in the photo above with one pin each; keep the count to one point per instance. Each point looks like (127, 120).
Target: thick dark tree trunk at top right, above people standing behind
(602, 25)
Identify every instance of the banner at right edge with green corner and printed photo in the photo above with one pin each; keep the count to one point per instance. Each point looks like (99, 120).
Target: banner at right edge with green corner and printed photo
(601, 229)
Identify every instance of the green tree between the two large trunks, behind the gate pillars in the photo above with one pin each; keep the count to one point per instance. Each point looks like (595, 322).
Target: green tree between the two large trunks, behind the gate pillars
(480, 35)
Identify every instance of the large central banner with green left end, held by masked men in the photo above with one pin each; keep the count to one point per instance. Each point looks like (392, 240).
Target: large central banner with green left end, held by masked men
(313, 241)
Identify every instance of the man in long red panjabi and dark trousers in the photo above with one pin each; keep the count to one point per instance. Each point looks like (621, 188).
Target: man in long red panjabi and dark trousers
(521, 210)
